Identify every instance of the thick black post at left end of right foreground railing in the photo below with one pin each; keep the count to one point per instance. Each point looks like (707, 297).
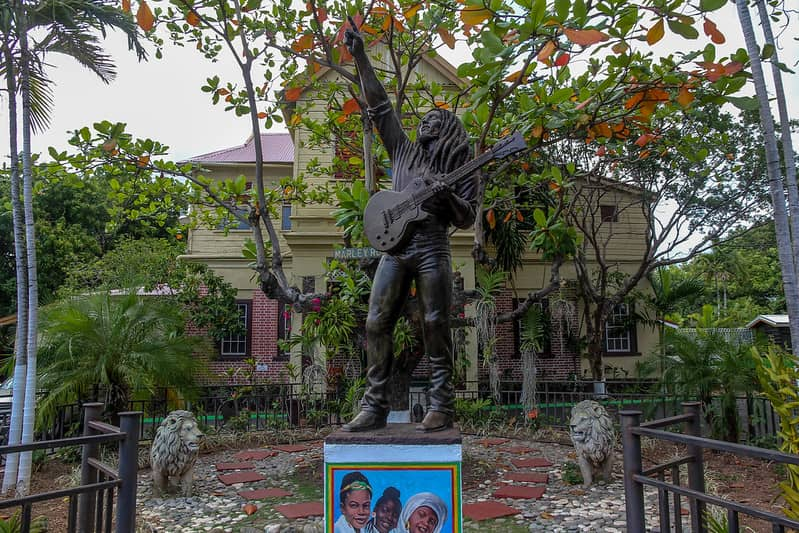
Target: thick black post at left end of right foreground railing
(633, 491)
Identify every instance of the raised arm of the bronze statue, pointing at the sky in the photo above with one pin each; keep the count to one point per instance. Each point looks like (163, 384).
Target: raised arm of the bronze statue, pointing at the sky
(380, 108)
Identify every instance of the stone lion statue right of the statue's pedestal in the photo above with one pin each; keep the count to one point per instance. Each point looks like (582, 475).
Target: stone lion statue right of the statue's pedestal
(591, 431)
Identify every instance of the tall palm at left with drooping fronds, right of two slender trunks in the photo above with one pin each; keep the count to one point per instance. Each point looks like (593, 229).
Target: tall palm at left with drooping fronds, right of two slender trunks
(69, 26)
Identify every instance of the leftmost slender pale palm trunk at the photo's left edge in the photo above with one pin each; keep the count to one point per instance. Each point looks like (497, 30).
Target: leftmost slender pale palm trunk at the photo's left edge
(20, 343)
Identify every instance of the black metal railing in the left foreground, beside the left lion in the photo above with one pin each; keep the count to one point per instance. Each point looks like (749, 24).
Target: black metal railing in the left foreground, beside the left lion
(91, 504)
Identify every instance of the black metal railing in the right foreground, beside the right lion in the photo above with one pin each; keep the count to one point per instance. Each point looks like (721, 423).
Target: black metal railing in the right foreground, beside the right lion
(667, 480)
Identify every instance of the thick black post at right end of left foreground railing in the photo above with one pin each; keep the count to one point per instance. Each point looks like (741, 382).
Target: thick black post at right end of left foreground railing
(128, 471)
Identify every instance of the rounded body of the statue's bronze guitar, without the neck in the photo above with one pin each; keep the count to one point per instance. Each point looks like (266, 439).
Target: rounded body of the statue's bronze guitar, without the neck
(386, 224)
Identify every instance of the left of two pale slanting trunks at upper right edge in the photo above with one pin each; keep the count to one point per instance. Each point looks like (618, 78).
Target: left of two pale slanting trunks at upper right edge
(784, 241)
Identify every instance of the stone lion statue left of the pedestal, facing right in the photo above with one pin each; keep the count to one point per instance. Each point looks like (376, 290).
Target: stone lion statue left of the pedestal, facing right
(174, 451)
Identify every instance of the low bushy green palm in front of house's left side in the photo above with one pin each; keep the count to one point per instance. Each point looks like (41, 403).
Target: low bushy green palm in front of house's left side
(120, 343)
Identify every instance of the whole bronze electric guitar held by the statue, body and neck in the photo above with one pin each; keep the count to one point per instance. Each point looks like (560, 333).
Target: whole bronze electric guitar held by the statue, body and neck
(390, 216)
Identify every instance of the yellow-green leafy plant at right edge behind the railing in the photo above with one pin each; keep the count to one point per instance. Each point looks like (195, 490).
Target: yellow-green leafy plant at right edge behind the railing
(778, 375)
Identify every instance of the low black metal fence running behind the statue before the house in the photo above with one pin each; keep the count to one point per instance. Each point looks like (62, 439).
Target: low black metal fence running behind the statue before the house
(276, 406)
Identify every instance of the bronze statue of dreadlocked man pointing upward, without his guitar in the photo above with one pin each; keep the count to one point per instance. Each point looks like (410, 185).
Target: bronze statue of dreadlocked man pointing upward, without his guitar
(441, 146)
